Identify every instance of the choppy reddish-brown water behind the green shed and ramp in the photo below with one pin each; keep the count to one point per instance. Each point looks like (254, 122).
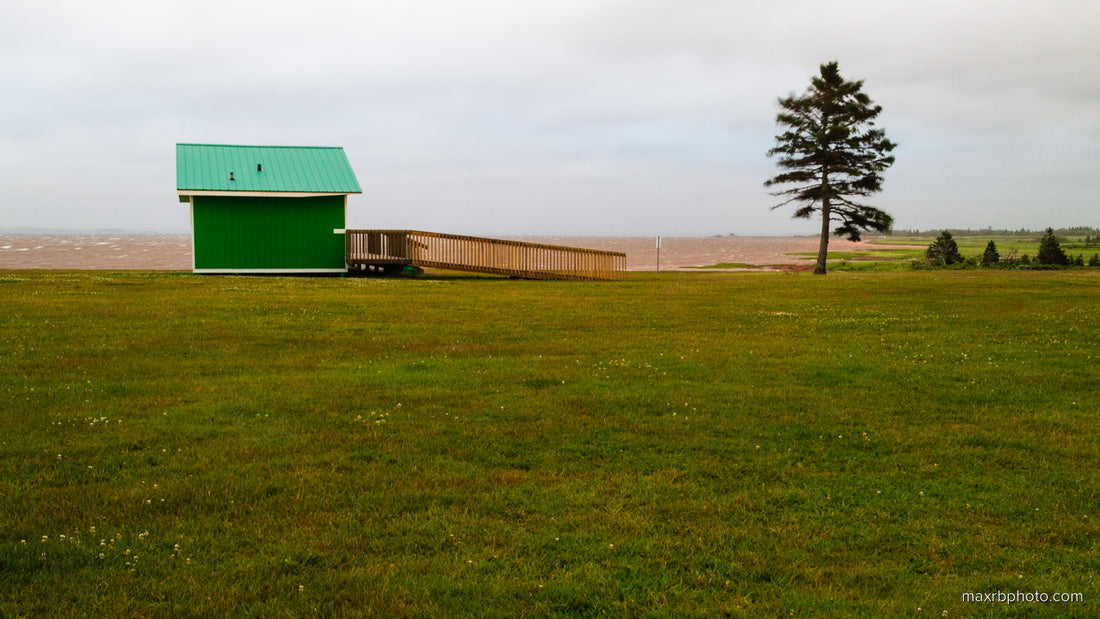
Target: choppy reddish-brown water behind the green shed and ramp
(173, 252)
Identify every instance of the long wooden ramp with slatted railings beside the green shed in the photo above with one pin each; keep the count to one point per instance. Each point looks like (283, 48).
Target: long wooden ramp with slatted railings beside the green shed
(390, 250)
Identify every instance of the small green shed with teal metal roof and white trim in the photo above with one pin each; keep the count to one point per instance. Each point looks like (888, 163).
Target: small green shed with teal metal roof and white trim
(267, 209)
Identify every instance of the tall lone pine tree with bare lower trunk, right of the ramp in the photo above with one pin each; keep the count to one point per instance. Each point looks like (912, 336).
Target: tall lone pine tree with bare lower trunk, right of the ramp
(832, 154)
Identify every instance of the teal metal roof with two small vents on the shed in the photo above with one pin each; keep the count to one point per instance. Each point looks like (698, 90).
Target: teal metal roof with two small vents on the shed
(304, 170)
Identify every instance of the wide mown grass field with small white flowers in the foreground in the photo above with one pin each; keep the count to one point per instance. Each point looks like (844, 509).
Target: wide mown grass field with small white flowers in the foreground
(866, 445)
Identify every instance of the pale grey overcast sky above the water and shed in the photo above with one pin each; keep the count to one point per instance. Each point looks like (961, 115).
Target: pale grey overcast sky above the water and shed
(556, 117)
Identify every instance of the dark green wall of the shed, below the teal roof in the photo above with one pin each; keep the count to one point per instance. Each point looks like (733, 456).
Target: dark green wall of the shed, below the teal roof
(289, 235)
